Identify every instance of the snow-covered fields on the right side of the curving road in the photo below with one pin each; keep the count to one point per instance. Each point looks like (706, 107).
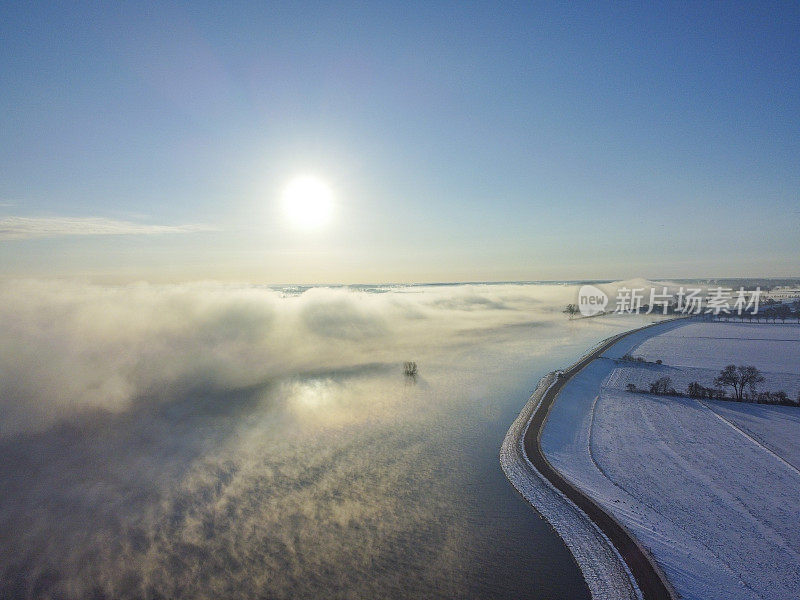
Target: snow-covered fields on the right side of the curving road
(709, 487)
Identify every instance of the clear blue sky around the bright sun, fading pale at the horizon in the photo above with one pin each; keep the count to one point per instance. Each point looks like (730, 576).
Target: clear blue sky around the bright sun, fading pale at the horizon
(461, 141)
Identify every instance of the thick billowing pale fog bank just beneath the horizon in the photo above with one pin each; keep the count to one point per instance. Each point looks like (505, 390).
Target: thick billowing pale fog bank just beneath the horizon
(68, 347)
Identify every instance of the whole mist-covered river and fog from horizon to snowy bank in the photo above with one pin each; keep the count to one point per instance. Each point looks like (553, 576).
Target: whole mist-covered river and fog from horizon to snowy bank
(221, 441)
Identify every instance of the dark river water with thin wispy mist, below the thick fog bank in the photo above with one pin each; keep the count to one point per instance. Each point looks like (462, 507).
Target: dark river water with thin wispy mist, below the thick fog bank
(340, 481)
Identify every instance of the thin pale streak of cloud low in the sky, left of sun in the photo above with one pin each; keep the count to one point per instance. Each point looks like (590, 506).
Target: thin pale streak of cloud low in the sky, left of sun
(21, 228)
